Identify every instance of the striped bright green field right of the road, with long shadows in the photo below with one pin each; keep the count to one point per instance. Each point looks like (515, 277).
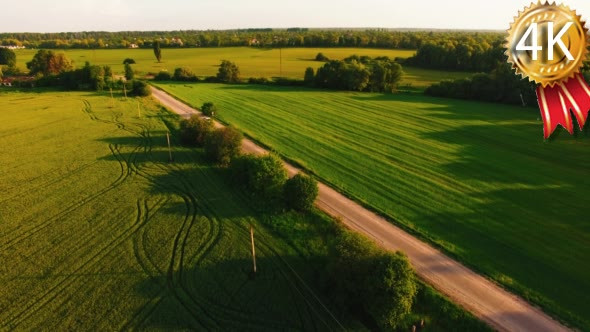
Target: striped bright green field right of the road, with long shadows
(474, 178)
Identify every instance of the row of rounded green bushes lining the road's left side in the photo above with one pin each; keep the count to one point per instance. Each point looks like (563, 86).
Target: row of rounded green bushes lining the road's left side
(361, 279)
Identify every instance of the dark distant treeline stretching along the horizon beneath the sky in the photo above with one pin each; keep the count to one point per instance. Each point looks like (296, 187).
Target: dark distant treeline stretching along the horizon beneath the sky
(293, 37)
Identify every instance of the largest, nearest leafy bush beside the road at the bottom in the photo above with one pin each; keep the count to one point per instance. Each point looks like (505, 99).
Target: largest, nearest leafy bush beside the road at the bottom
(371, 282)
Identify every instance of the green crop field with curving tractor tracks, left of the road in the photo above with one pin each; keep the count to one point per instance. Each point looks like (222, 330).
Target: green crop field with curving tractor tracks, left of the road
(98, 231)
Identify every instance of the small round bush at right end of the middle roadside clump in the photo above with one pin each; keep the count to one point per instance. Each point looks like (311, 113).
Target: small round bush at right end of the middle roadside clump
(300, 192)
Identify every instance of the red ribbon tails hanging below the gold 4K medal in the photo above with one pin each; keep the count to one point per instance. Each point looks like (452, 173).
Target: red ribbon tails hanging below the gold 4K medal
(557, 101)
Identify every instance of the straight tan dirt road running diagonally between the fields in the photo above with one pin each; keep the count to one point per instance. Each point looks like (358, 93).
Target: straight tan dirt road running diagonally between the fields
(491, 303)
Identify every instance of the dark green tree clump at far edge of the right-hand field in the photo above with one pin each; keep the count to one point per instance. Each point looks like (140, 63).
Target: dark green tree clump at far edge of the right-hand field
(356, 74)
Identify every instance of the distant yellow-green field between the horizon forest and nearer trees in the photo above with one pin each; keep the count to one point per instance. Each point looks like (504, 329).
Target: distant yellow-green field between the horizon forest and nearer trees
(253, 62)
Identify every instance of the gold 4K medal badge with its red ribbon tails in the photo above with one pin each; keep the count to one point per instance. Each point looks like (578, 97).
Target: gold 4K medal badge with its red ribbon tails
(547, 43)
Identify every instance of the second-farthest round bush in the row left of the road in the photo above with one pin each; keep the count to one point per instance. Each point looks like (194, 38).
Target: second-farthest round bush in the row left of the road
(223, 145)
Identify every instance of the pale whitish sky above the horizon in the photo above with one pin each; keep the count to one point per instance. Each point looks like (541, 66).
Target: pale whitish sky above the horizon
(124, 15)
